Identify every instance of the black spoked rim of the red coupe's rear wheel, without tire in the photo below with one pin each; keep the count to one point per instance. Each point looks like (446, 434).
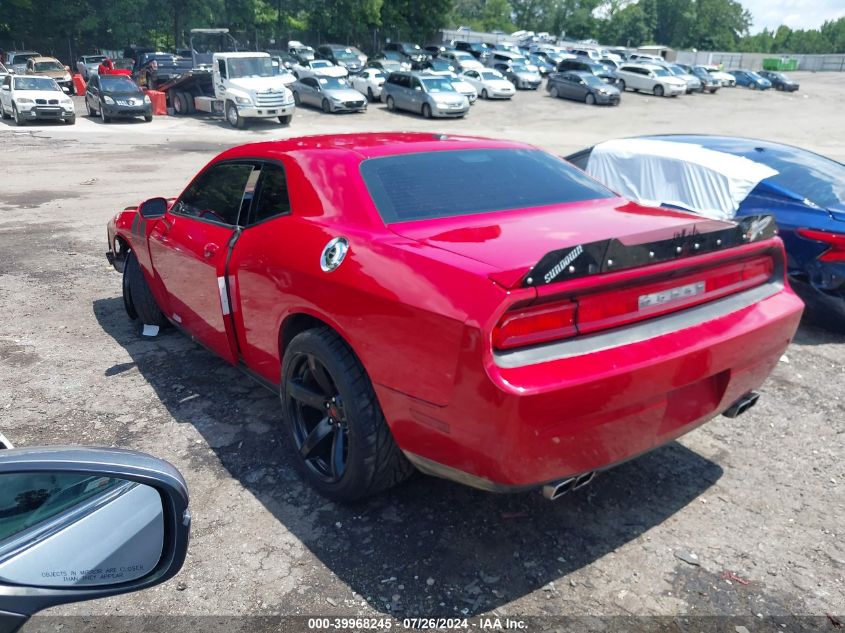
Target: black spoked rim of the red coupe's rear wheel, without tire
(320, 426)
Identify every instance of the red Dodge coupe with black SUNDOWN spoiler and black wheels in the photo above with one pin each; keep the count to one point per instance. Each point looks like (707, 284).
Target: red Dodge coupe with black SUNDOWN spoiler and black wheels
(477, 309)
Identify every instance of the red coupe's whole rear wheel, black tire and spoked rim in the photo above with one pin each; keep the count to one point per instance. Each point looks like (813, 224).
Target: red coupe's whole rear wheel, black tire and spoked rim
(339, 439)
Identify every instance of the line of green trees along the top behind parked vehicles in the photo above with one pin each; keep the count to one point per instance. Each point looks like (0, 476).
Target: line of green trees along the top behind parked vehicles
(80, 26)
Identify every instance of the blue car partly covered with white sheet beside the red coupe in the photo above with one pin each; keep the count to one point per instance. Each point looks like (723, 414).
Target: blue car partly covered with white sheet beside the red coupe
(805, 192)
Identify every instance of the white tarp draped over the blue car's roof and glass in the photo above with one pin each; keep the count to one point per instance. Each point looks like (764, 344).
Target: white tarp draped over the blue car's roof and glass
(655, 172)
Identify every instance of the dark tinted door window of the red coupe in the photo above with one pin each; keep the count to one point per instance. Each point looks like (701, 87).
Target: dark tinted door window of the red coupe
(217, 194)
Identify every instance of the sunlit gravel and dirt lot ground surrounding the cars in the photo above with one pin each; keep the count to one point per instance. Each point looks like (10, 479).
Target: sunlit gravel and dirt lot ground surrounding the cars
(741, 517)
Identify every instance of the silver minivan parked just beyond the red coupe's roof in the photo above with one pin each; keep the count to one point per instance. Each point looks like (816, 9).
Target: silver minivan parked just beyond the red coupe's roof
(429, 95)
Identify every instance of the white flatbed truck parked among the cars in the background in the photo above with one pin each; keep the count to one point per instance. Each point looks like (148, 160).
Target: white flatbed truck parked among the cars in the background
(240, 86)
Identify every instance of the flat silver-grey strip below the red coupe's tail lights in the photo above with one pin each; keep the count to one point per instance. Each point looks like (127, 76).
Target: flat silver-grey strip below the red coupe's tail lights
(638, 332)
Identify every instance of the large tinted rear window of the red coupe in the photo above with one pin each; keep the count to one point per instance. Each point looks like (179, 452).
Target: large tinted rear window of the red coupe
(466, 182)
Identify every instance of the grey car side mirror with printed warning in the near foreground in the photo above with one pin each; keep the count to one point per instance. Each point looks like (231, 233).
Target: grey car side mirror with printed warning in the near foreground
(84, 523)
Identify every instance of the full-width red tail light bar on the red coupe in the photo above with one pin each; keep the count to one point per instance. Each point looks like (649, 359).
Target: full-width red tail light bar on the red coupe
(597, 310)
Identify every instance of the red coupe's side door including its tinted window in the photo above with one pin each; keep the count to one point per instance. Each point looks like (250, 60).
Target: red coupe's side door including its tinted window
(189, 249)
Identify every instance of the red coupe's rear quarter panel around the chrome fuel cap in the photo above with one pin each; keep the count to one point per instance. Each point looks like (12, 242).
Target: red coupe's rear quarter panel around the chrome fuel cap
(404, 308)
